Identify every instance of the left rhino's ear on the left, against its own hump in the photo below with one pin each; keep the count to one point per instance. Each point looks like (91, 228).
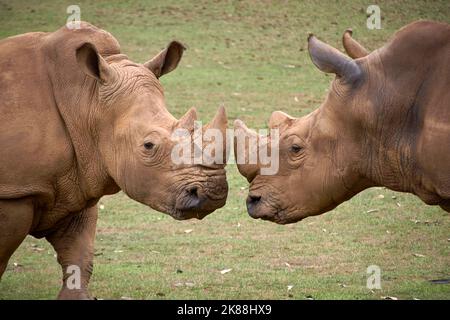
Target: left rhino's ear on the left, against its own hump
(92, 63)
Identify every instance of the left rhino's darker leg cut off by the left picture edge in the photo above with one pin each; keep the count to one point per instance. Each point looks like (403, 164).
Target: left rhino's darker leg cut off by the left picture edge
(16, 217)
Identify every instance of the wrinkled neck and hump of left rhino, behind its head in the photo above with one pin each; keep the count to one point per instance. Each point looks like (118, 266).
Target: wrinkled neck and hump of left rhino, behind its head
(75, 97)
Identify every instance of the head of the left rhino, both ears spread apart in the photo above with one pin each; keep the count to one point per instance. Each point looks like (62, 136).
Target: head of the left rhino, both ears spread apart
(135, 135)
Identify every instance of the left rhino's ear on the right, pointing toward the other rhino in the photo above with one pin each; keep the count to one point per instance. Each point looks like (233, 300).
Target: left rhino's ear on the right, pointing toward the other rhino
(167, 60)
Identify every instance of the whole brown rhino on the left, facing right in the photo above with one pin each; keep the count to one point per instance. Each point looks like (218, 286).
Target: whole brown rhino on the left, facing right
(79, 120)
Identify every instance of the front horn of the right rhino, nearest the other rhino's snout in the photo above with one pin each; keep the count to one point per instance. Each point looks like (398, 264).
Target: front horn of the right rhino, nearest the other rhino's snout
(246, 150)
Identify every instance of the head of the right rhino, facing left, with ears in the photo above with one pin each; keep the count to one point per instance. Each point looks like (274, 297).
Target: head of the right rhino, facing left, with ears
(319, 154)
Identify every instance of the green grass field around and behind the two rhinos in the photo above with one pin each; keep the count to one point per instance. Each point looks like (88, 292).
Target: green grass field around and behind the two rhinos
(251, 56)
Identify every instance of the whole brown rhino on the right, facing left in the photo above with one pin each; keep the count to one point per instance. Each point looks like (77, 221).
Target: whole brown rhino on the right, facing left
(385, 122)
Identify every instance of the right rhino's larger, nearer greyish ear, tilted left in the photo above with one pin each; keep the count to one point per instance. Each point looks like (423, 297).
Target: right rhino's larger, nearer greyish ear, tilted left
(330, 60)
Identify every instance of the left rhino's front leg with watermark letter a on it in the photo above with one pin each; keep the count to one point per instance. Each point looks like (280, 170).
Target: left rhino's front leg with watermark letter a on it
(74, 245)
